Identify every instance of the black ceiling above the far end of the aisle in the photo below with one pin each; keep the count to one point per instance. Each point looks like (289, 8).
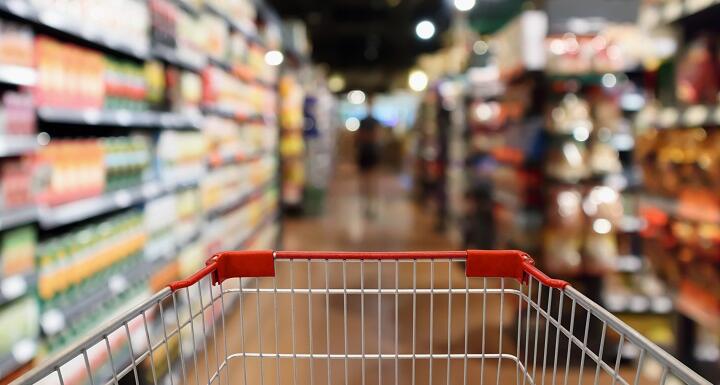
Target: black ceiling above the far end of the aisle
(362, 36)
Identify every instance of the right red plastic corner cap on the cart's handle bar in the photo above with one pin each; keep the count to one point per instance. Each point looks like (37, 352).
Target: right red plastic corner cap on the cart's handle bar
(496, 264)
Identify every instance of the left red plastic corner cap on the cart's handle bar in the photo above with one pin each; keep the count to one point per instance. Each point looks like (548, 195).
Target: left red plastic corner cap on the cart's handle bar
(236, 264)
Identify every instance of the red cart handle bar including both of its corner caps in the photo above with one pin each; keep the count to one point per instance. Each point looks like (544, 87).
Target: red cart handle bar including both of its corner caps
(479, 263)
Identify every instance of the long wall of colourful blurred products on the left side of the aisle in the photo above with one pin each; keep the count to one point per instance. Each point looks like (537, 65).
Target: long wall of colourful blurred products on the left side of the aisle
(154, 146)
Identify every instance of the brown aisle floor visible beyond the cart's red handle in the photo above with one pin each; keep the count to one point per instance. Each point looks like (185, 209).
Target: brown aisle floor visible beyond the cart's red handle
(396, 224)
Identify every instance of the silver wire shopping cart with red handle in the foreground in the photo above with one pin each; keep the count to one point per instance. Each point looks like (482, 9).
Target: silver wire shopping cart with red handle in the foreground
(468, 317)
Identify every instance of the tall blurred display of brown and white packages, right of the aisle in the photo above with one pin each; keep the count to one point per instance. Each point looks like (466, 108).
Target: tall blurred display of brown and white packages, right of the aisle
(591, 217)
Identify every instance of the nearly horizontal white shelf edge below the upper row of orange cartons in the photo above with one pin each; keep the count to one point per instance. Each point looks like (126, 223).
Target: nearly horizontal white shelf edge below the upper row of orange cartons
(121, 118)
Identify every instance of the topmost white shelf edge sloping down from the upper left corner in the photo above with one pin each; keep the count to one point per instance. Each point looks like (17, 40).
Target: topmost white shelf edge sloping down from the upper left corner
(55, 22)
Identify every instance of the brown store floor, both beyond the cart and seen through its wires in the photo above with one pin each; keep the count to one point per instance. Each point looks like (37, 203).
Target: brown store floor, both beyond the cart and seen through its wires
(346, 322)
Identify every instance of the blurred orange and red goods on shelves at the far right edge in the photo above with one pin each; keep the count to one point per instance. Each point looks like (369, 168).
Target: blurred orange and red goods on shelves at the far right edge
(677, 151)
